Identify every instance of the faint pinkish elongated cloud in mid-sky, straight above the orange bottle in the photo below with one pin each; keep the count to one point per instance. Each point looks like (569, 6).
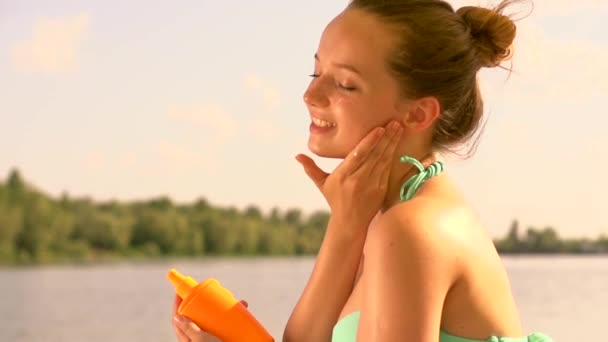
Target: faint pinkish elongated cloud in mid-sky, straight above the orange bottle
(212, 118)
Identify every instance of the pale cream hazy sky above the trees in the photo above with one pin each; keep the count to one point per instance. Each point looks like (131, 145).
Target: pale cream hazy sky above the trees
(132, 100)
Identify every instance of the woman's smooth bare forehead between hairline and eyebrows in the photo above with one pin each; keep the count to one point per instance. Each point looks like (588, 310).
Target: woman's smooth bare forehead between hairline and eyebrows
(358, 38)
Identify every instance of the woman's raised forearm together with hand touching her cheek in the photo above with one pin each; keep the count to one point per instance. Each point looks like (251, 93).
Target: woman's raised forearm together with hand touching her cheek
(355, 192)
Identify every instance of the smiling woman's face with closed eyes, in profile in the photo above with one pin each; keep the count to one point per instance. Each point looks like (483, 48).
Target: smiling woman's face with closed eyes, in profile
(352, 91)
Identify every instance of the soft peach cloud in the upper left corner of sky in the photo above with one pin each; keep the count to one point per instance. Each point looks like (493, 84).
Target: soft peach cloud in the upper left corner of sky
(53, 46)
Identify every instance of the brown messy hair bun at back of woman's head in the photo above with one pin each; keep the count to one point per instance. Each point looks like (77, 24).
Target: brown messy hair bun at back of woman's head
(492, 33)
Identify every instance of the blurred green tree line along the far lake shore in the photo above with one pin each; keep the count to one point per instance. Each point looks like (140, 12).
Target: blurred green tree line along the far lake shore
(36, 228)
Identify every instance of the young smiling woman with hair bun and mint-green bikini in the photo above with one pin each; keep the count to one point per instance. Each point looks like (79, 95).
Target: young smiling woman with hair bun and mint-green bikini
(404, 257)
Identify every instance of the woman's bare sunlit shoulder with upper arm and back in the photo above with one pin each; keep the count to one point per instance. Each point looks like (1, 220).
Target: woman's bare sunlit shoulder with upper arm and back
(429, 261)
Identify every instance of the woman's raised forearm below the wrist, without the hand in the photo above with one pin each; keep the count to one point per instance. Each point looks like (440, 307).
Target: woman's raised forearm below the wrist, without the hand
(329, 286)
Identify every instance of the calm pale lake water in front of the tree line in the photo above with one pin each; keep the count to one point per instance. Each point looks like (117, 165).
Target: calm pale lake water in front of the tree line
(564, 296)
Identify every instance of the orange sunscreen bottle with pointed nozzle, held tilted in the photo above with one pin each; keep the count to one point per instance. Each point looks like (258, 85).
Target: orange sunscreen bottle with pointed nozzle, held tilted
(215, 310)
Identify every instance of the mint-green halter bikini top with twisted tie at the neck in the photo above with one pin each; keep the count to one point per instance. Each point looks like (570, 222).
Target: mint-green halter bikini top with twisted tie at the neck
(346, 329)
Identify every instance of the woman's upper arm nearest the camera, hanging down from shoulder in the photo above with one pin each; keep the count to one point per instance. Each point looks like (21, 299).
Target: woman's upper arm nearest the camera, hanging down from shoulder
(408, 274)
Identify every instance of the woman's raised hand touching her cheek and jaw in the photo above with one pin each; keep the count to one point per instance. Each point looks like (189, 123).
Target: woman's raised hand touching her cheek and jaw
(357, 187)
